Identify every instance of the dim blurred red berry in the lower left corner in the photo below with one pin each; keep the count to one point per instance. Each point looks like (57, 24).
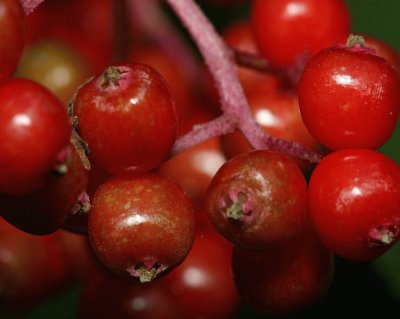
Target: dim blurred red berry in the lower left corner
(31, 269)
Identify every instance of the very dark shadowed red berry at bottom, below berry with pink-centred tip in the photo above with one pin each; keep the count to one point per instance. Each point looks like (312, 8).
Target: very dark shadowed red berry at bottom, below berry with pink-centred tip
(282, 279)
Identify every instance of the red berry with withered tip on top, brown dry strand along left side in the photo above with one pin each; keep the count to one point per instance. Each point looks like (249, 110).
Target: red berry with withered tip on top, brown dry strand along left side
(127, 116)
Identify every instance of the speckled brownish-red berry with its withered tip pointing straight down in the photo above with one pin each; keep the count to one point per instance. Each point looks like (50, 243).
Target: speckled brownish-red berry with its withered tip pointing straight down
(141, 225)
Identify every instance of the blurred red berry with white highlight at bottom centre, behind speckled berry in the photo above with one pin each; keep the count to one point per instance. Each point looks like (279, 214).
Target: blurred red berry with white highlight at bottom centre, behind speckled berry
(205, 280)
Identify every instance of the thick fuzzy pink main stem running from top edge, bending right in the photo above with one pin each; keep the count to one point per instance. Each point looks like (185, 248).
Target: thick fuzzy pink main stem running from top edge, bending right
(221, 63)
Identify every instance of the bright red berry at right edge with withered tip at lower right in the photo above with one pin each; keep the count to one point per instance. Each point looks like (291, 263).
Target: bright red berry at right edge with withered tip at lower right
(354, 202)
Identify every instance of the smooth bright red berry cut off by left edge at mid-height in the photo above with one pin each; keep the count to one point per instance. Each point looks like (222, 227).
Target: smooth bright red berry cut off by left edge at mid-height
(35, 131)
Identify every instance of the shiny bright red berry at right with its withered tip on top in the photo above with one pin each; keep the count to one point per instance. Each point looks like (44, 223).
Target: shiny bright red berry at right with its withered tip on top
(349, 98)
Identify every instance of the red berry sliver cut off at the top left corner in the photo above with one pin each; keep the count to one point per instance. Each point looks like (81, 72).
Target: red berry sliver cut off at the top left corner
(12, 34)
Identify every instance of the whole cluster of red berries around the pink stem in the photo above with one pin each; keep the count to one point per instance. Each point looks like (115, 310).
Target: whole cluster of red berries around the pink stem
(101, 164)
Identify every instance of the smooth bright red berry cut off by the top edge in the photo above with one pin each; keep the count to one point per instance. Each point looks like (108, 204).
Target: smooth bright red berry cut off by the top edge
(285, 29)
